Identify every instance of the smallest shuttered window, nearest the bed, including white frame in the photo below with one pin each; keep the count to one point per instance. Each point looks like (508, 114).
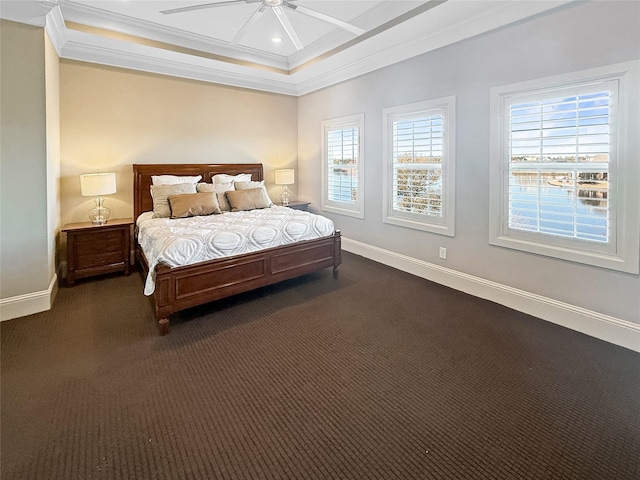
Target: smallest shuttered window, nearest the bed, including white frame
(343, 173)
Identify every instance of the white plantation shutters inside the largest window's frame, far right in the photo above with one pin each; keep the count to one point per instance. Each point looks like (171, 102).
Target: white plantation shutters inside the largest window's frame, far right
(559, 155)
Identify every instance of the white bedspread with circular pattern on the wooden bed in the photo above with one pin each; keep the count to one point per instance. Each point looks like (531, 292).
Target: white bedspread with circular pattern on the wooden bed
(184, 241)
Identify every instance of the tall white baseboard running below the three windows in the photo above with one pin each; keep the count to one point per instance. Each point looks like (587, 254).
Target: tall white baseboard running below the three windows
(607, 328)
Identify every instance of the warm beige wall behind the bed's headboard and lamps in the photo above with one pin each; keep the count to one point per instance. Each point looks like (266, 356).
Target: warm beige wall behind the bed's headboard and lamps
(112, 118)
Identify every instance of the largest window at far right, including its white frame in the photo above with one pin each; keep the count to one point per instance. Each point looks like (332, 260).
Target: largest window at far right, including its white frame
(564, 187)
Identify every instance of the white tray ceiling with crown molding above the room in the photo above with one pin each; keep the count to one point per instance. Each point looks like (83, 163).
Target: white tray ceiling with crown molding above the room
(322, 42)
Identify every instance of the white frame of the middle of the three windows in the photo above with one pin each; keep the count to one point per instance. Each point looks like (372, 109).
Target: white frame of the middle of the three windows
(445, 223)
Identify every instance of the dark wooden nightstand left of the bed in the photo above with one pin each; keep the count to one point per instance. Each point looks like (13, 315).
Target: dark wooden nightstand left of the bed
(97, 249)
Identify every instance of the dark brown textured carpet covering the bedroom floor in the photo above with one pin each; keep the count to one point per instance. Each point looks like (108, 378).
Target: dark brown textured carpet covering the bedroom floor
(376, 375)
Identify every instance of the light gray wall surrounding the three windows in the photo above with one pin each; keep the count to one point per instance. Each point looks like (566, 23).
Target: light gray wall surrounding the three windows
(572, 38)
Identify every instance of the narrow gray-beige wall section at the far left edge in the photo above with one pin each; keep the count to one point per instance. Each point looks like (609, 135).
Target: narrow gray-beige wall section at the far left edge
(25, 264)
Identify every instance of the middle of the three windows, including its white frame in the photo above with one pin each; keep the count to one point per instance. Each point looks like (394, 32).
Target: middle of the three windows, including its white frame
(419, 165)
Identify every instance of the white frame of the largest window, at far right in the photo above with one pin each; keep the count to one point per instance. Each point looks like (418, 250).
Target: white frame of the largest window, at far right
(621, 251)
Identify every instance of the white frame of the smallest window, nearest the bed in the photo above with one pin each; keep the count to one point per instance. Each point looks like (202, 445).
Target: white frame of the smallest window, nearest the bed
(353, 209)
